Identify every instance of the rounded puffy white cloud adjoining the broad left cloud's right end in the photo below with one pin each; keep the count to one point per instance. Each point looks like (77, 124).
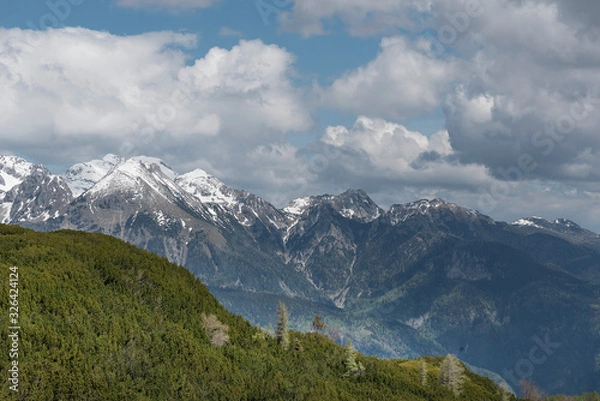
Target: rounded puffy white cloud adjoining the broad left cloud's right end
(254, 77)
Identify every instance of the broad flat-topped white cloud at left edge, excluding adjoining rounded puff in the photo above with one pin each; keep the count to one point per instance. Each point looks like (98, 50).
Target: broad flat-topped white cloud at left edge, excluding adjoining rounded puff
(73, 81)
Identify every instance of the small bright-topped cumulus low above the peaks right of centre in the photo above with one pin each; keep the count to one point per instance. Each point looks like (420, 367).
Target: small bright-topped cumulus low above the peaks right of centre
(379, 153)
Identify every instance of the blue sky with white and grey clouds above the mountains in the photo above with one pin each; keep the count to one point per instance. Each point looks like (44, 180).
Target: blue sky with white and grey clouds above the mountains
(493, 105)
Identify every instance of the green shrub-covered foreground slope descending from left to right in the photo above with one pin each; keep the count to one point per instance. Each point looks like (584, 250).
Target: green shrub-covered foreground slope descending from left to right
(99, 319)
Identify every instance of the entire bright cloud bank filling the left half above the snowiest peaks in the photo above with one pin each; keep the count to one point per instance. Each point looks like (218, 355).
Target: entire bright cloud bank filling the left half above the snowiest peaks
(73, 93)
